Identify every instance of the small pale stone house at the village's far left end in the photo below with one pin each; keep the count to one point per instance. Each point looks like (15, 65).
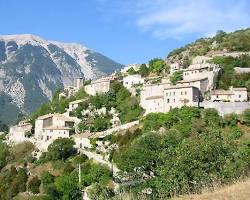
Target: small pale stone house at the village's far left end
(18, 133)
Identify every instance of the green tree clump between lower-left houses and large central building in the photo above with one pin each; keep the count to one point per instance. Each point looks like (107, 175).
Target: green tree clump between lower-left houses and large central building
(119, 98)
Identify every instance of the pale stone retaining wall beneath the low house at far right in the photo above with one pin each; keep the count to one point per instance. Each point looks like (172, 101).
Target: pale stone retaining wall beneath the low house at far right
(227, 107)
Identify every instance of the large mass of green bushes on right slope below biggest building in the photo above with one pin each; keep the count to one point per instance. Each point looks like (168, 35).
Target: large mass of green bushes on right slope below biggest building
(186, 157)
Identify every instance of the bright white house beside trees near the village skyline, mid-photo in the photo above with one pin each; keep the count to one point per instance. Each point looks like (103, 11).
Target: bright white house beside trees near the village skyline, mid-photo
(131, 80)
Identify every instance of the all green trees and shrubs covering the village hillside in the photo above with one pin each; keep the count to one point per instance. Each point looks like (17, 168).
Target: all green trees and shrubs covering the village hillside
(167, 155)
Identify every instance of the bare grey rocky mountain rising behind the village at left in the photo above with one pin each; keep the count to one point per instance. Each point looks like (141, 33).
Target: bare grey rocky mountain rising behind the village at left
(31, 68)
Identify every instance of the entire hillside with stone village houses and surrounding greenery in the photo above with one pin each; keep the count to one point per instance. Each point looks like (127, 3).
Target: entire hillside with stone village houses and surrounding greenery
(174, 111)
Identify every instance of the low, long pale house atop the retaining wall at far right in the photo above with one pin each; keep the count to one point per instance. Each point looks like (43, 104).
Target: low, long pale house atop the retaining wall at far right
(231, 95)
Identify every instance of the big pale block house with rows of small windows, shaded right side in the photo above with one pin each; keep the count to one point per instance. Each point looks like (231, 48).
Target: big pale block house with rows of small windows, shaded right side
(178, 96)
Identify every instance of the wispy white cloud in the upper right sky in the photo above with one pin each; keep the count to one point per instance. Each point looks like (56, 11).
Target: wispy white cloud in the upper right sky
(179, 18)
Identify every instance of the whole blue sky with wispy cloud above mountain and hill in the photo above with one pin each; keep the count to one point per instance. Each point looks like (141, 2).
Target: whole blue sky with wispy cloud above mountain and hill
(128, 31)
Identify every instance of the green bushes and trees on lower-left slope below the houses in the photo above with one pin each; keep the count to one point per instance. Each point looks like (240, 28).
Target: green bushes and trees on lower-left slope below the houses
(14, 176)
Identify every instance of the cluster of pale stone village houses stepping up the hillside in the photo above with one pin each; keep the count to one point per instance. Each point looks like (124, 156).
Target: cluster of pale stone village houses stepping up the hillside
(196, 88)
